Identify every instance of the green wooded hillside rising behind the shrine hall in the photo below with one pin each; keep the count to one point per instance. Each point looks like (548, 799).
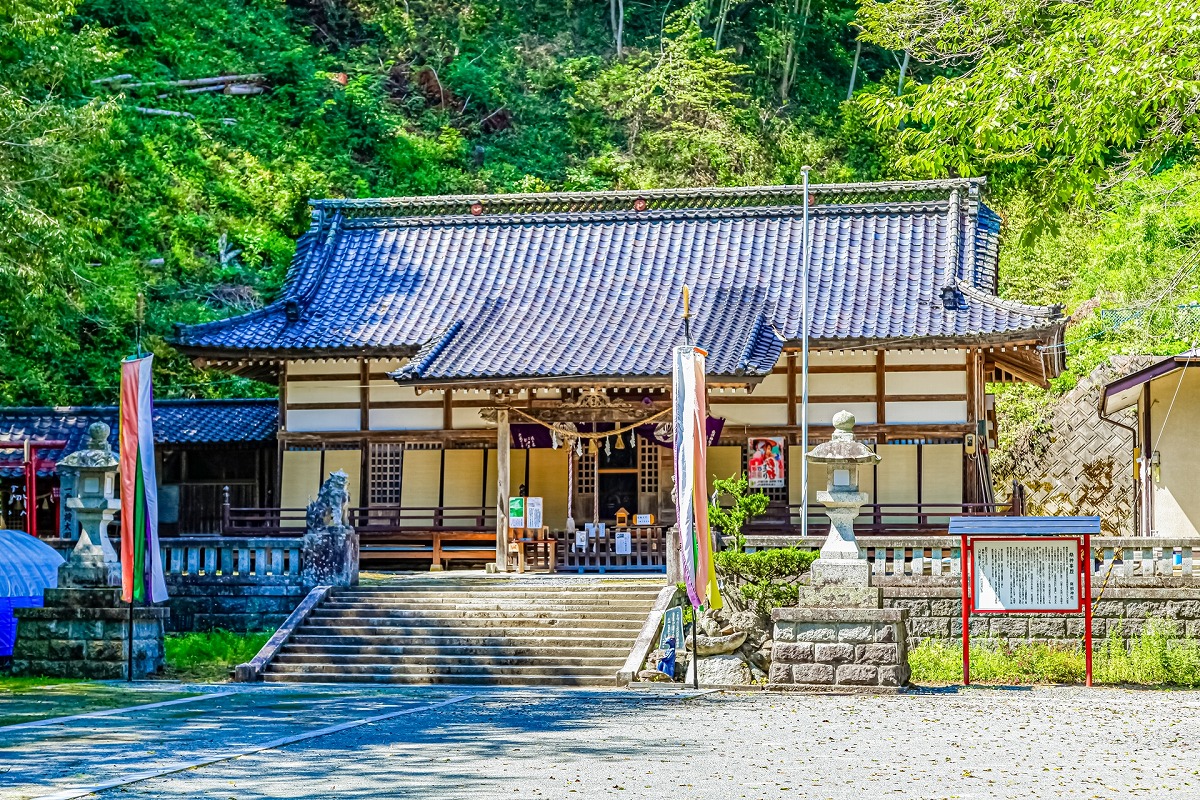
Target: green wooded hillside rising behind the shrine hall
(157, 155)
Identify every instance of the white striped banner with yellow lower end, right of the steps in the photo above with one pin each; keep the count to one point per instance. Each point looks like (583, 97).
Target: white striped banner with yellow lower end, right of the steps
(692, 483)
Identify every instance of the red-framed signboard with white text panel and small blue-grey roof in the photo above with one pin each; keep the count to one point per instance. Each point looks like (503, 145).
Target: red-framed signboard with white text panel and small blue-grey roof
(1027, 566)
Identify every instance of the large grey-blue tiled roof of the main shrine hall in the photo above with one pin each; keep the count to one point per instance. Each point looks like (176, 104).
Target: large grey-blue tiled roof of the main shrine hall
(583, 285)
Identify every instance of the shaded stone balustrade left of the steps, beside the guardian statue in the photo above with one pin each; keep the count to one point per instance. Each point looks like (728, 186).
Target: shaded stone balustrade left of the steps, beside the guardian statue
(208, 557)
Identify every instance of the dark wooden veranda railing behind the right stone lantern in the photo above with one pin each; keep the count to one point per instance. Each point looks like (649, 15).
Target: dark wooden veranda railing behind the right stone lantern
(878, 519)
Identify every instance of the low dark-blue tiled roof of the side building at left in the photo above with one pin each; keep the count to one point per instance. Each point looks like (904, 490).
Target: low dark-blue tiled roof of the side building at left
(183, 422)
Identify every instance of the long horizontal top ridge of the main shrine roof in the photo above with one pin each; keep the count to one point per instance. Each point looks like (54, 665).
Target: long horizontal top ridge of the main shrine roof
(484, 204)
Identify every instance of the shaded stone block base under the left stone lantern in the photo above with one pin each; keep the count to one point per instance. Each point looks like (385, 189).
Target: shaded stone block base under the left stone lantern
(83, 634)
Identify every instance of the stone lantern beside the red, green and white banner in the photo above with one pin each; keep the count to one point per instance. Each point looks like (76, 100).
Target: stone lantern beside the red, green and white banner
(93, 563)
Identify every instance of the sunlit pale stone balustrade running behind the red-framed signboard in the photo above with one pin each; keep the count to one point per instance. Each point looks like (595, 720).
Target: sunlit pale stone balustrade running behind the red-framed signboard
(919, 557)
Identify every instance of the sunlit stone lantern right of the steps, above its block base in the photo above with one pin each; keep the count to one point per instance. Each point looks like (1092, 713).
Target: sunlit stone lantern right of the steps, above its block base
(842, 568)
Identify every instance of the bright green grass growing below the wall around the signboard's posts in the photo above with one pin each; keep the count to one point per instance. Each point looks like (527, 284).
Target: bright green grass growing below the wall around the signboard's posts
(1155, 658)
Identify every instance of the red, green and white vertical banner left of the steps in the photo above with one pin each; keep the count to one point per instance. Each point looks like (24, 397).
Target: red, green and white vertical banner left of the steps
(142, 579)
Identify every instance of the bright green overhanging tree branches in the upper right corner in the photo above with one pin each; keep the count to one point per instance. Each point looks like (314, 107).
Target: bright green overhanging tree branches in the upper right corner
(1019, 105)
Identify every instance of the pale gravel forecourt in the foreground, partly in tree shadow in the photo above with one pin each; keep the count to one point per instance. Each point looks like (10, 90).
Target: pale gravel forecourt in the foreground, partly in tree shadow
(977, 743)
